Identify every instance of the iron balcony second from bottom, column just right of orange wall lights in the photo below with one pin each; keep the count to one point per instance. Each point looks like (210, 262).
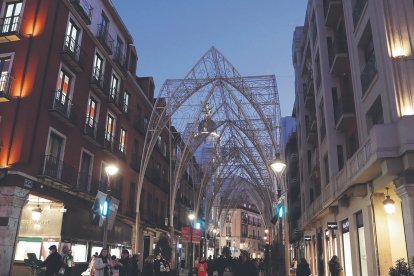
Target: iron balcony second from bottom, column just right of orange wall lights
(64, 110)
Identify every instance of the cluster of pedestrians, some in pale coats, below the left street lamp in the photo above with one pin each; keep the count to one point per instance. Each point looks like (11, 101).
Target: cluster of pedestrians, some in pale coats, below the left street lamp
(106, 265)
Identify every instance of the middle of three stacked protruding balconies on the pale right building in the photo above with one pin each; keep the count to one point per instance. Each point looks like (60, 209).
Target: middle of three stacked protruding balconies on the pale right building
(338, 57)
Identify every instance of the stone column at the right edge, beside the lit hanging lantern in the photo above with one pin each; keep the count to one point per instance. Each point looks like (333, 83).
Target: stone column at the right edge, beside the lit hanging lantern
(406, 193)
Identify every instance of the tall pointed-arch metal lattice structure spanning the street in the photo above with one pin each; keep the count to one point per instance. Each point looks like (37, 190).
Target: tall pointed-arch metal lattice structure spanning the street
(243, 113)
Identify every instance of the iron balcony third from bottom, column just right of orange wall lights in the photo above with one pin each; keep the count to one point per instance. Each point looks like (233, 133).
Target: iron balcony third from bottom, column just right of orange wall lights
(73, 55)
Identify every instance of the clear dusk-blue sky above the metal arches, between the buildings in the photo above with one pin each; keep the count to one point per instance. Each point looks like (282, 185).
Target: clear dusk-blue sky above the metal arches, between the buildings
(254, 35)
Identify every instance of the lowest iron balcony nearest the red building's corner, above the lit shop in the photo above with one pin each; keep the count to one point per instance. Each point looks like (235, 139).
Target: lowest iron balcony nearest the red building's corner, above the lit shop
(57, 170)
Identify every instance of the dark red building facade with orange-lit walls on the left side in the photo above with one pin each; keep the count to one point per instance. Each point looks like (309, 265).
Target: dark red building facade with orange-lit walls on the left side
(70, 104)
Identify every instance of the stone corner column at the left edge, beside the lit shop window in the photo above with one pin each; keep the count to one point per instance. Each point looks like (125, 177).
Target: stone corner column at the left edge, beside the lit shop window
(12, 200)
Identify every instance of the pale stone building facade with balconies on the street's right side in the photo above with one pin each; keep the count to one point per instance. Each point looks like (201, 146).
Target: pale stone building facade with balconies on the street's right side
(354, 112)
